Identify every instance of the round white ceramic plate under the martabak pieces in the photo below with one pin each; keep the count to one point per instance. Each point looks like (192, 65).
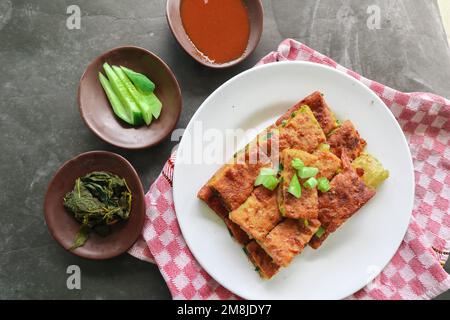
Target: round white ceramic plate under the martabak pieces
(356, 253)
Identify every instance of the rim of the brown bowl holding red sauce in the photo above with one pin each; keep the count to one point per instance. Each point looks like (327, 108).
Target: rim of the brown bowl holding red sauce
(244, 56)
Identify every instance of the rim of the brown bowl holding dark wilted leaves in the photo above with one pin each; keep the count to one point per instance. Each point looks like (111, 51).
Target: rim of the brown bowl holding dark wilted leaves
(54, 231)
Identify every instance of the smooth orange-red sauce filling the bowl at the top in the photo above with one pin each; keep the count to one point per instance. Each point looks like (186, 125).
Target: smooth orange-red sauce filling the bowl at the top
(219, 29)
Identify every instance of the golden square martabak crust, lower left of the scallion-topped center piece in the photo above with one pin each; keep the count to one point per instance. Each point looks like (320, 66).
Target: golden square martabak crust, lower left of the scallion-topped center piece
(259, 214)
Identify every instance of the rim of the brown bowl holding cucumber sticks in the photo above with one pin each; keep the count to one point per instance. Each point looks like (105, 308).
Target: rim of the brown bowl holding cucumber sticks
(167, 69)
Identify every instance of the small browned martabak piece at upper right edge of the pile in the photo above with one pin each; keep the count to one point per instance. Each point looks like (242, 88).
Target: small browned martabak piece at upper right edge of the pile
(347, 139)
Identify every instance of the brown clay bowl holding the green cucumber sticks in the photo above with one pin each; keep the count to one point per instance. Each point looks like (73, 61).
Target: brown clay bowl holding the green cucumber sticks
(98, 114)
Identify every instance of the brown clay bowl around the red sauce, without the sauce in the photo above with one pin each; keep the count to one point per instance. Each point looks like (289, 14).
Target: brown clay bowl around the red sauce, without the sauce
(256, 14)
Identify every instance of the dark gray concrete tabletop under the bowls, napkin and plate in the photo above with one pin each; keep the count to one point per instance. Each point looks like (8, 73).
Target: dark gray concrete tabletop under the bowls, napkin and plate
(41, 62)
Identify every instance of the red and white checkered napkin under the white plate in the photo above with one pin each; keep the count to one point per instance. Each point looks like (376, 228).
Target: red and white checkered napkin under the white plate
(415, 272)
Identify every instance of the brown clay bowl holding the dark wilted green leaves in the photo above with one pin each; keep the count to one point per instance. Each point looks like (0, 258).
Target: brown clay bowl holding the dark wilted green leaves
(63, 227)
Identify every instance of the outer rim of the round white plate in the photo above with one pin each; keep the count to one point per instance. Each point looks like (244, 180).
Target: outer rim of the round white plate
(356, 82)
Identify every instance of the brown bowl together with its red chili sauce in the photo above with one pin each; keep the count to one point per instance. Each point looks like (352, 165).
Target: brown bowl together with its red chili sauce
(216, 33)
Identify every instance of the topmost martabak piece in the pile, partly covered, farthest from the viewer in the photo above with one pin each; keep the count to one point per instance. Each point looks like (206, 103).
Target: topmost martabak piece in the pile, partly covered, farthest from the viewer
(320, 109)
